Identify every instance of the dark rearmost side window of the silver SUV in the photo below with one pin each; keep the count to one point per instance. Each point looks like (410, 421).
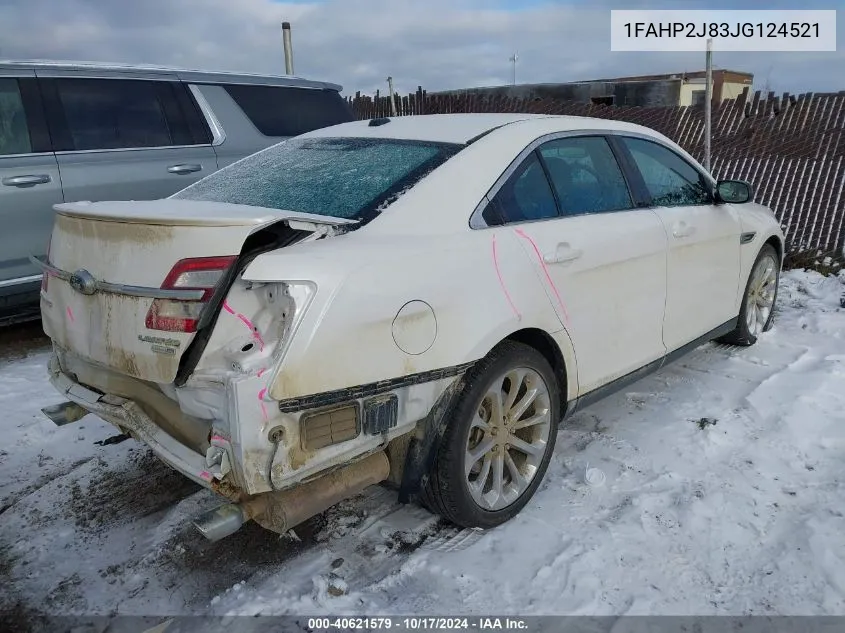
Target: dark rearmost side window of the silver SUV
(282, 111)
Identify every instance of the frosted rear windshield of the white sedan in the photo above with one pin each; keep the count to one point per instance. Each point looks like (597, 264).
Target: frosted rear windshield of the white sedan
(351, 178)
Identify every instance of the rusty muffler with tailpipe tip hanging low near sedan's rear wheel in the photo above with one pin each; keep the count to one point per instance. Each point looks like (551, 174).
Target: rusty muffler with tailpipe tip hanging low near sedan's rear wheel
(280, 511)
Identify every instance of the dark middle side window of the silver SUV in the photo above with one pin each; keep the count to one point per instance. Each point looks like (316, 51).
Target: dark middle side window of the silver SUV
(115, 113)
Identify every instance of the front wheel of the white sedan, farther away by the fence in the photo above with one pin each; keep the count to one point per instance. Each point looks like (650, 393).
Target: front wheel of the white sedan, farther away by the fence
(757, 312)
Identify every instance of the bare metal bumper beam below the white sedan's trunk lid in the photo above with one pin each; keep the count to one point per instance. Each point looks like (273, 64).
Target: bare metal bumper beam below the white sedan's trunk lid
(129, 417)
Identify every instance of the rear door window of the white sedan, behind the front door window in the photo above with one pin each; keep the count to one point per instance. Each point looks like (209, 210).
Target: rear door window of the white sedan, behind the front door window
(585, 175)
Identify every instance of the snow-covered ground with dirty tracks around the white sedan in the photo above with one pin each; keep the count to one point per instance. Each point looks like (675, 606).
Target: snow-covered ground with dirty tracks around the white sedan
(722, 493)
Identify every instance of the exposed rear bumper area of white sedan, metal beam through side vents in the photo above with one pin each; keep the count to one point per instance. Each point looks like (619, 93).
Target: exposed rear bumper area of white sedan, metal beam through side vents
(272, 446)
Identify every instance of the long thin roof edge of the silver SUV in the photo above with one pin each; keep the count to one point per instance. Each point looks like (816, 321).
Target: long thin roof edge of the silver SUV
(51, 68)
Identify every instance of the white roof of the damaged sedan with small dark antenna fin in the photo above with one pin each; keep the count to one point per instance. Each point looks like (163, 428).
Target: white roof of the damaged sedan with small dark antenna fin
(463, 128)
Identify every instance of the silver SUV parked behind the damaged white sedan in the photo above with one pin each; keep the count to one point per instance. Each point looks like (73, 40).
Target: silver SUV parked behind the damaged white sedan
(71, 132)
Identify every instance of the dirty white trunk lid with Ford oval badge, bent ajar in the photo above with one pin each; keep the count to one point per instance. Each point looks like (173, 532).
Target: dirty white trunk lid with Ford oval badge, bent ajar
(126, 249)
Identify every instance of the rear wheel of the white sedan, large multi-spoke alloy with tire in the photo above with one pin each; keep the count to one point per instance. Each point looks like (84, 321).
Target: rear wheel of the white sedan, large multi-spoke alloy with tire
(489, 462)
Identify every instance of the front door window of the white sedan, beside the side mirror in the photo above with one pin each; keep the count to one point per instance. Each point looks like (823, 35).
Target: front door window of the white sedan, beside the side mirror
(671, 181)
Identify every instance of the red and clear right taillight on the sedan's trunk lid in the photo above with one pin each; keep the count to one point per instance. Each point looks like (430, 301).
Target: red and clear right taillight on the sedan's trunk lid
(199, 273)
